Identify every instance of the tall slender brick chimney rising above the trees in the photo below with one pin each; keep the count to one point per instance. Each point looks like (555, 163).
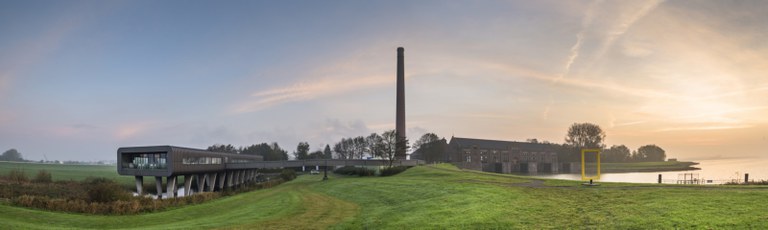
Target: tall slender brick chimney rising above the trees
(400, 118)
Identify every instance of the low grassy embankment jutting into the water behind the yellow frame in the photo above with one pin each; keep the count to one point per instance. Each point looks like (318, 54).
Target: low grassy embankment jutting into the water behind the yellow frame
(662, 166)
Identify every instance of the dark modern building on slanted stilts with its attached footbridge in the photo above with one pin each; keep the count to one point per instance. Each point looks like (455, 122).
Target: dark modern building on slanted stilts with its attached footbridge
(213, 171)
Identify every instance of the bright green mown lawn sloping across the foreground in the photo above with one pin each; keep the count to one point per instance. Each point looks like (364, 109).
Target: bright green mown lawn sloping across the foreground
(439, 197)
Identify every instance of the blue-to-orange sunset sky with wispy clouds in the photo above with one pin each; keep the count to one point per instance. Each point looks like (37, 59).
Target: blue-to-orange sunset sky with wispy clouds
(79, 79)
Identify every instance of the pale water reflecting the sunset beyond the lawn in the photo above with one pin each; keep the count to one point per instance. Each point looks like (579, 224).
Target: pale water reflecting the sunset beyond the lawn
(718, 171)
